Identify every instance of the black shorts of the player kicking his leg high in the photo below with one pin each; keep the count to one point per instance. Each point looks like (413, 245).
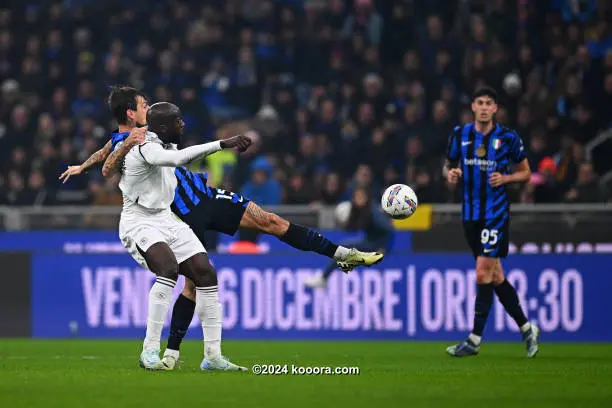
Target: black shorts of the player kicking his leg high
(221, 211)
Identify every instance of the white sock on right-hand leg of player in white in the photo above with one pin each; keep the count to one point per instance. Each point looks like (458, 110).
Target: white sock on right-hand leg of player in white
(209, 311)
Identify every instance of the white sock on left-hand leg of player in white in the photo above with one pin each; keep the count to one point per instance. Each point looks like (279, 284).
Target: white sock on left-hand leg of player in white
(160, 297)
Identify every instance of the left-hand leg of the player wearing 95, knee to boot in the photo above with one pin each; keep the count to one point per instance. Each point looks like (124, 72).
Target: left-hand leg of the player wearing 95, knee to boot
(485, 268)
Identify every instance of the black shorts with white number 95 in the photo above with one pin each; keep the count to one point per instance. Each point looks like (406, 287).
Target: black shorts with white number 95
(488, 238)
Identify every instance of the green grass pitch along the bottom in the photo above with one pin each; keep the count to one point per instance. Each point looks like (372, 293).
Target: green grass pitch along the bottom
(77, 373)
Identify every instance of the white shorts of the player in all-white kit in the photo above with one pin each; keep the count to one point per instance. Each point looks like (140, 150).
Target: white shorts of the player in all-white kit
(138, 234)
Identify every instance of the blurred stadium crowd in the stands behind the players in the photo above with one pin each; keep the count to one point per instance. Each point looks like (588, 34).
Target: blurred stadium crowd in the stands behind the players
(335, 93)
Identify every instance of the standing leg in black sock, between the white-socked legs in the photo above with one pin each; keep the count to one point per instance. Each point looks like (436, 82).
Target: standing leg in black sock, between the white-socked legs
(182, 314)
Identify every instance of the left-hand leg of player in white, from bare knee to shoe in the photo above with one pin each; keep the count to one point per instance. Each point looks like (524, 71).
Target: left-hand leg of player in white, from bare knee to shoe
(162, 262)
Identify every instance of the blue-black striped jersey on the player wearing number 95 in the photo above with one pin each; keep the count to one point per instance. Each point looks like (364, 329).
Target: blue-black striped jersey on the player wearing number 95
(480, 155)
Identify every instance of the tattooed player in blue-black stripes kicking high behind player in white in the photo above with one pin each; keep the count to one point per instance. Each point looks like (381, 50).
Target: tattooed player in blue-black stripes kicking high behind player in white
(203, 207)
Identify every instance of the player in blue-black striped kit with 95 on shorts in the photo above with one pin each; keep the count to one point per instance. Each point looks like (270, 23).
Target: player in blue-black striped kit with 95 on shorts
(480, 155)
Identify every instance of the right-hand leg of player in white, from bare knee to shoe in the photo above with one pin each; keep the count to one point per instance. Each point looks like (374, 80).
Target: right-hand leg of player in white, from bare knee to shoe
(207, 307)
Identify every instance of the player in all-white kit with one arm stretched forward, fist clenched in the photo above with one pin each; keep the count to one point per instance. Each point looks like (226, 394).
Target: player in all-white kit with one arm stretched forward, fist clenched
(162, 243)
